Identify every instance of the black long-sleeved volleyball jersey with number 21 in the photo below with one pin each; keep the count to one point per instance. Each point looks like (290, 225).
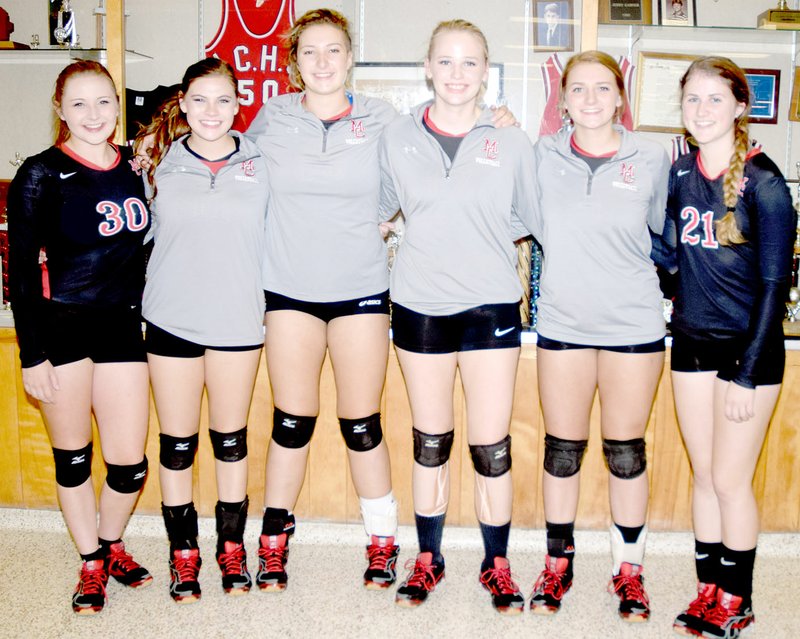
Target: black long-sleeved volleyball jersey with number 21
(734, 291)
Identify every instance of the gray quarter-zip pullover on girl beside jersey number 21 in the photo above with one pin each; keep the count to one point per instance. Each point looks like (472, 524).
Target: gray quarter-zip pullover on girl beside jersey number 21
(599, 285)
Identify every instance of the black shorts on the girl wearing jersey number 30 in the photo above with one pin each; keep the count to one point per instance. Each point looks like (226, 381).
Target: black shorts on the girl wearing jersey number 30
(73, 332)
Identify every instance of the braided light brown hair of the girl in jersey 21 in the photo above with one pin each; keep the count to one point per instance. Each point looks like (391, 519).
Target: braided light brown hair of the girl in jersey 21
(726, 229)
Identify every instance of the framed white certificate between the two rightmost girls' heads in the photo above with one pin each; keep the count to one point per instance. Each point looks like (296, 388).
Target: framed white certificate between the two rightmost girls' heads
(658, 91)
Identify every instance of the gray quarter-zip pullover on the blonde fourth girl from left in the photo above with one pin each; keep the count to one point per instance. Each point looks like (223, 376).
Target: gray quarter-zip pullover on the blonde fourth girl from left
(461, 218)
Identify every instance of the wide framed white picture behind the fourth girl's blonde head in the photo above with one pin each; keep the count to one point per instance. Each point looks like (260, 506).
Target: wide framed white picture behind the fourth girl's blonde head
(403, 84)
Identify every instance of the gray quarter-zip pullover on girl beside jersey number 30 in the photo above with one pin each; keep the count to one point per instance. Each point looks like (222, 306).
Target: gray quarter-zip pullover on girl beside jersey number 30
(203, 278)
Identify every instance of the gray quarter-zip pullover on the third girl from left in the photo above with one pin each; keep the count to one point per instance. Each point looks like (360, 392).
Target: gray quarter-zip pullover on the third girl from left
(322, 238)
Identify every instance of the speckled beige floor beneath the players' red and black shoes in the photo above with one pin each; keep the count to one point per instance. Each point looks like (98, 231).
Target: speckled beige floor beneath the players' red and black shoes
(38, 568)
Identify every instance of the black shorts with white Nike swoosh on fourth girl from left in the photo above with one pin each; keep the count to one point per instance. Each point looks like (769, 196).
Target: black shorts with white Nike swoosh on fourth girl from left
(484, 327)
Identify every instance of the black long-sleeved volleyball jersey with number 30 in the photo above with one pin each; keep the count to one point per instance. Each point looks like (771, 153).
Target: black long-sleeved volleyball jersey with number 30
(88, 223)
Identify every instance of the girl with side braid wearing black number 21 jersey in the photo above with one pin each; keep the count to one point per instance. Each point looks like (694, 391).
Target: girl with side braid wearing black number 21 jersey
(730, 225)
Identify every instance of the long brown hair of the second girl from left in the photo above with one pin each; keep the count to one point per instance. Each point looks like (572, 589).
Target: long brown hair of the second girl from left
(170, 122)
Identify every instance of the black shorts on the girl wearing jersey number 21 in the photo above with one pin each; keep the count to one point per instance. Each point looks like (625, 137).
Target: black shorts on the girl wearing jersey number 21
(690, 355)
